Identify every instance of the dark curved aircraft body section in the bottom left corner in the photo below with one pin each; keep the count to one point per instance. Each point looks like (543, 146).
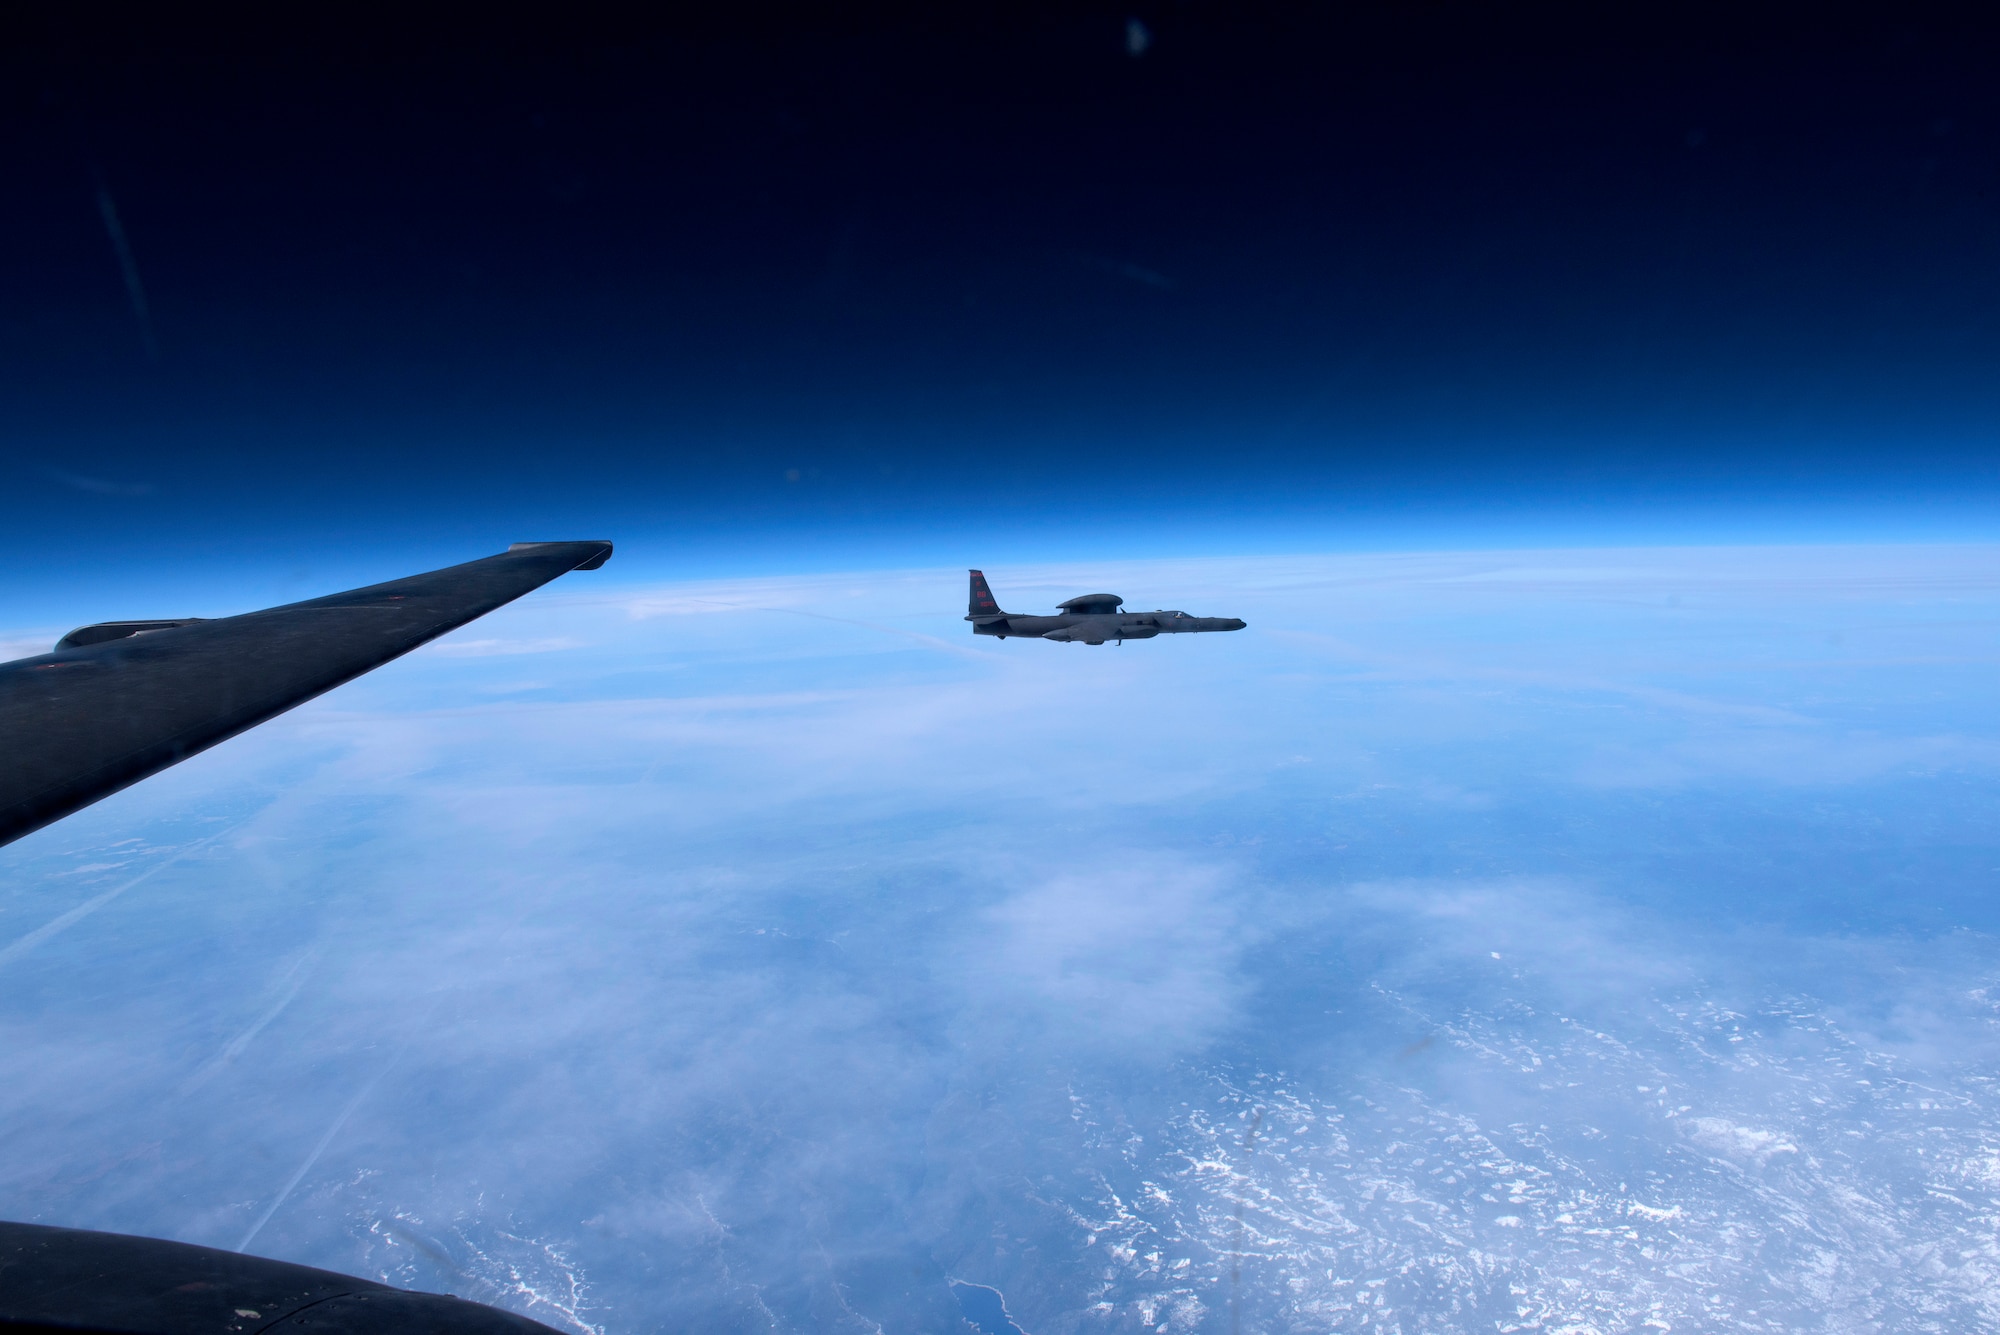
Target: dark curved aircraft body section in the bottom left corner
(73, 1282)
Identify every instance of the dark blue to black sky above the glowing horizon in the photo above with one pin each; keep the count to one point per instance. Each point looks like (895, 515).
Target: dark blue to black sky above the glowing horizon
(961, 283)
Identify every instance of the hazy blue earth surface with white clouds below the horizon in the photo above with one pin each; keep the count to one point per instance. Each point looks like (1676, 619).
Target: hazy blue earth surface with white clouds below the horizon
(1501, 942)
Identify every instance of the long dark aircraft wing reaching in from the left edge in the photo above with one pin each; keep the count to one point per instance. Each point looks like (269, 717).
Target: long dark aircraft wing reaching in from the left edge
(123, 700)
